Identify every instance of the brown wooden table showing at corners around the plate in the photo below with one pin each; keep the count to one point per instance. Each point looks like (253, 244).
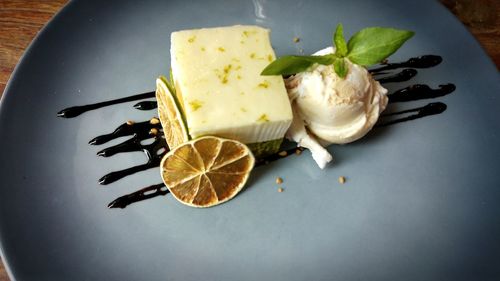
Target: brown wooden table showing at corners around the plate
(20, 21)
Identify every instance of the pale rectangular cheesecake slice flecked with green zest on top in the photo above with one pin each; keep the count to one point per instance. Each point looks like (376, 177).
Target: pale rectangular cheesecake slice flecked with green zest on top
(218, 83)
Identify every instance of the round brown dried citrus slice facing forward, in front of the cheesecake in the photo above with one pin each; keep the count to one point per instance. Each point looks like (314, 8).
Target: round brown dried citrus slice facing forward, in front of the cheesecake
(207, 171)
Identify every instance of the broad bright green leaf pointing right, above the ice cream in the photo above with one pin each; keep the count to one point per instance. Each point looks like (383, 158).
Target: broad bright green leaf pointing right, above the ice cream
(373, 44)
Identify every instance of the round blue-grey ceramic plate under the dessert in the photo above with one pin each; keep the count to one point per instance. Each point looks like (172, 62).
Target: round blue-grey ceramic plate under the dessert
(421, 200)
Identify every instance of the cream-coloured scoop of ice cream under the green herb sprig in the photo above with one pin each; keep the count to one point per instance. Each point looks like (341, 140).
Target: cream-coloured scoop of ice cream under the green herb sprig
(337, 110)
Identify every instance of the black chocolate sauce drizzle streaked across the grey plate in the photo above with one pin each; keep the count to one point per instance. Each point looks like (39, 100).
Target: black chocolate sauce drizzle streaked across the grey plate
(143, 131)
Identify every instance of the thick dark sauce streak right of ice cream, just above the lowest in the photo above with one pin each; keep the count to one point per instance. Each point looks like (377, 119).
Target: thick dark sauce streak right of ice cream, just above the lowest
(420, 91)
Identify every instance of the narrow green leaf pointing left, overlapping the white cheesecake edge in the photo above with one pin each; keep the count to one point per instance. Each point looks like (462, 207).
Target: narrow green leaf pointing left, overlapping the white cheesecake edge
(289, 65)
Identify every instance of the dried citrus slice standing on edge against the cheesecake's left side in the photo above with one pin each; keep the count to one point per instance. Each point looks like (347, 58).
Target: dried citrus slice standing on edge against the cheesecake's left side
(171, 119)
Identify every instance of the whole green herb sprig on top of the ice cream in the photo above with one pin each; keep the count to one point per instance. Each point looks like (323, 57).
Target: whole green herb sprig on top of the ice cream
(366, 47)
